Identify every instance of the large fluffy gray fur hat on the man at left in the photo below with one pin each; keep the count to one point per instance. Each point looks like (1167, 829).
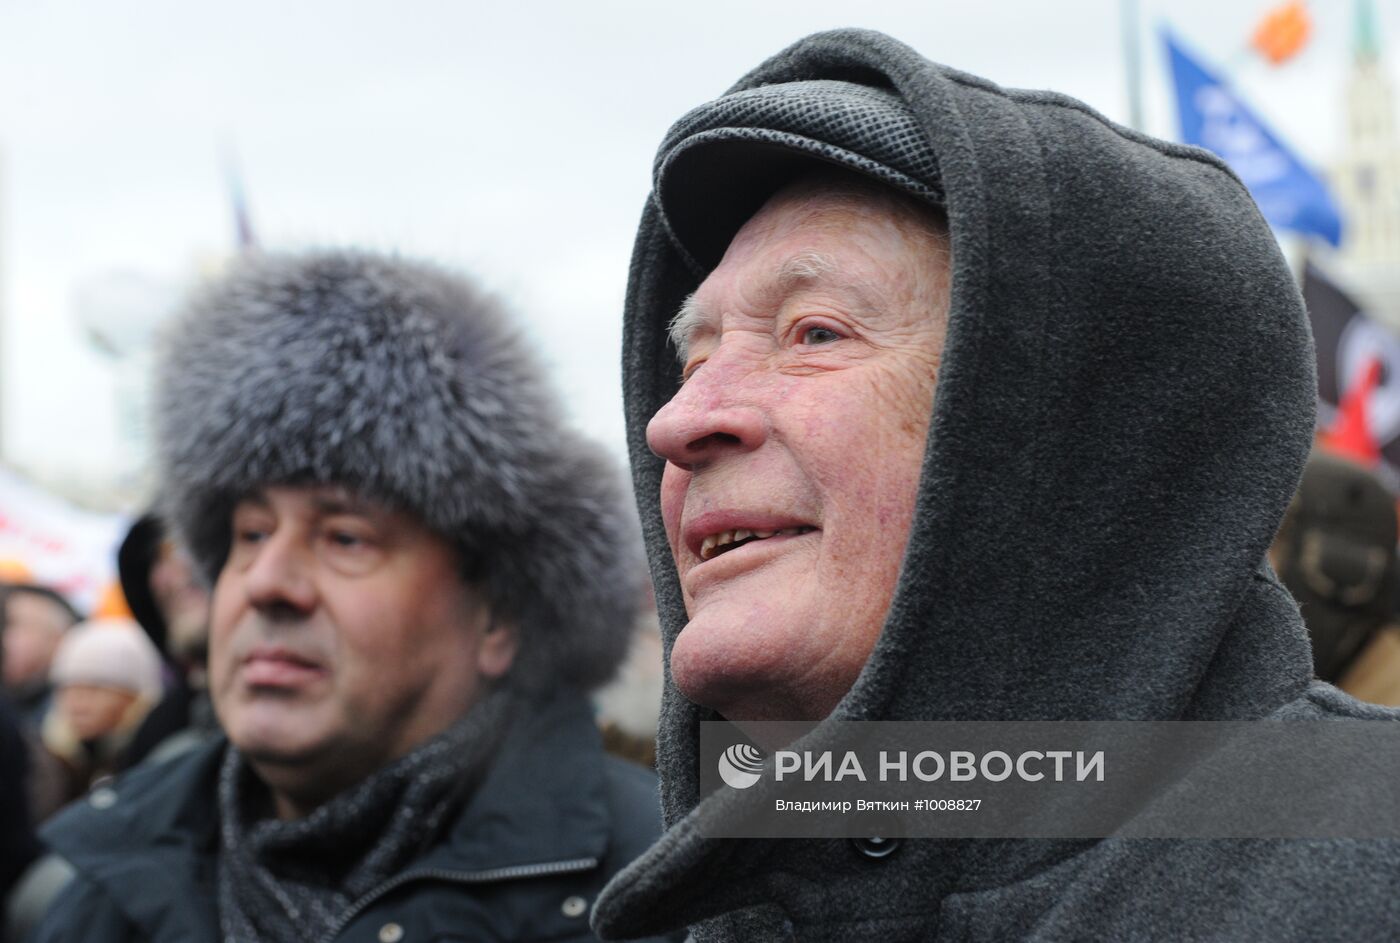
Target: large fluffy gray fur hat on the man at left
(408, 385)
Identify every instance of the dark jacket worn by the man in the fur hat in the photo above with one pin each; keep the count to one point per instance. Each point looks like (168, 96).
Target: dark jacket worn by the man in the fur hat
(526, 860)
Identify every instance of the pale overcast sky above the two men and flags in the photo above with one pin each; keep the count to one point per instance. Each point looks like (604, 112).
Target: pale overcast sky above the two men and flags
(510, 141)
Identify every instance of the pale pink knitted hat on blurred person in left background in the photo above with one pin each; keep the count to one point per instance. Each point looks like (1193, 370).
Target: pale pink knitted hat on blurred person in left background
(108, 653)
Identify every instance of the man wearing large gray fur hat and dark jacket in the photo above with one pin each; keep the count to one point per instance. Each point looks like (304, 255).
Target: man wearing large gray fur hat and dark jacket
(418, 573)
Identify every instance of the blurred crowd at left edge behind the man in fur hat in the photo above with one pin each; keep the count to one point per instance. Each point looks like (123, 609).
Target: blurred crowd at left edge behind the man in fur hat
(87, 699)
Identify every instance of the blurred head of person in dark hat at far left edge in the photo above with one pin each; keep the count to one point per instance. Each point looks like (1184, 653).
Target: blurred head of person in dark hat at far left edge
(33, 622)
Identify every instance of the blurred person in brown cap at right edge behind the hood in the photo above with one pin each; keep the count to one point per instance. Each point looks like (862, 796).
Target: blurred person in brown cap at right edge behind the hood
(1336, 552)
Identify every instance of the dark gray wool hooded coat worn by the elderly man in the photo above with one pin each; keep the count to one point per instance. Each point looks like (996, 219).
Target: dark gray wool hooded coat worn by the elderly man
(1123, 411)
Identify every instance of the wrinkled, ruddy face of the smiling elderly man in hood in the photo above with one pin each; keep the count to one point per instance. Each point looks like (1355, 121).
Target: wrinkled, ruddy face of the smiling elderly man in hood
(796, 444)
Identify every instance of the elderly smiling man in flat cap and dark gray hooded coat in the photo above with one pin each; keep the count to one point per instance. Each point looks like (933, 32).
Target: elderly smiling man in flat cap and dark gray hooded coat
(950, 402)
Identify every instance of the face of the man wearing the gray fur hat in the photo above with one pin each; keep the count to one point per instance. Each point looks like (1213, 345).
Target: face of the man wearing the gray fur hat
(342, 637)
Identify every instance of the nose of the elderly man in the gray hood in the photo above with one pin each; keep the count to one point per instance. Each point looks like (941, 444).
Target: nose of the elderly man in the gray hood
(717, 412)
